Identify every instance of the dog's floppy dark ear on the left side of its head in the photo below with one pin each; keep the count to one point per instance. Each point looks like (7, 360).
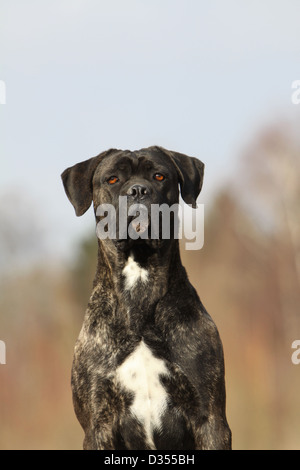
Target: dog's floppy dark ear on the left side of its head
(78, 182)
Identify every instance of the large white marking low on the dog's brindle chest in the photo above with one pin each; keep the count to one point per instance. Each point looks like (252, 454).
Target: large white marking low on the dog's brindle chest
(139, 374)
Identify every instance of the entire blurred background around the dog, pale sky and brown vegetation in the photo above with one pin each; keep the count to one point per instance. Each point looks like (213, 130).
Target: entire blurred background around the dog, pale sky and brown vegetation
(209, 79)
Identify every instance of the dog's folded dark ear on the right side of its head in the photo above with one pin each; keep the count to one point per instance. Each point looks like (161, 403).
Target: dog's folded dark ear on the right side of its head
(190, 173)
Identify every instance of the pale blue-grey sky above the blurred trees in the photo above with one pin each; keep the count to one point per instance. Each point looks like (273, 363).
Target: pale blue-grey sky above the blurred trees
(82, 76)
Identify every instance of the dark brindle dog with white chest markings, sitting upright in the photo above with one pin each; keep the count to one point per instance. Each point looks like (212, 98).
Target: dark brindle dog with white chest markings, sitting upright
(148, 367)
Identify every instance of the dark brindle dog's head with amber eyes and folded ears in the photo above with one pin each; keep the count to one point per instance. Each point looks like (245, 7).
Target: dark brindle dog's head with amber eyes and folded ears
(144, 178)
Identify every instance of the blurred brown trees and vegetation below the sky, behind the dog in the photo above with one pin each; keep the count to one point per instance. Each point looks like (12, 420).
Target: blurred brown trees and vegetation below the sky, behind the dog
(248, 277)
